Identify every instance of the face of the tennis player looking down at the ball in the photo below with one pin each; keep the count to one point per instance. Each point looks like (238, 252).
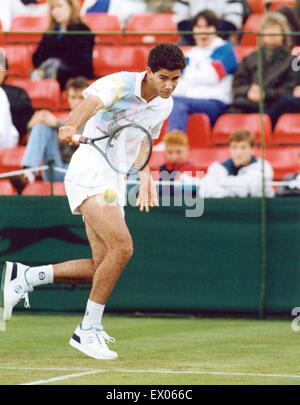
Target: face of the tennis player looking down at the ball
(164, 82)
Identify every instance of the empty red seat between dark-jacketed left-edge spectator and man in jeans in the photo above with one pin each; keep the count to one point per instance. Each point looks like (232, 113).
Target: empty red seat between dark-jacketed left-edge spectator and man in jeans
(43, 93)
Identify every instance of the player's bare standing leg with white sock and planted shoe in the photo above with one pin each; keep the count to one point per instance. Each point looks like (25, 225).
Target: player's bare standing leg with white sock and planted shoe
(106, 224)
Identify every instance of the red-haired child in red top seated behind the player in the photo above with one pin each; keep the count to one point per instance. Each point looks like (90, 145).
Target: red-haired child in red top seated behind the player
(177, 164)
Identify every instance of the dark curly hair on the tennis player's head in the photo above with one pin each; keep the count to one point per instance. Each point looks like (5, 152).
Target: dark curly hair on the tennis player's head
(166, 56)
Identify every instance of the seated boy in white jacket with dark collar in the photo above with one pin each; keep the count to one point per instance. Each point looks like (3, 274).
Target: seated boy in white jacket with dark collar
(241, 175)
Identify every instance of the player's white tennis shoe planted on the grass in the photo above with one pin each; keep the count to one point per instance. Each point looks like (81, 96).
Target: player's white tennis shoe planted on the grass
(92, 342)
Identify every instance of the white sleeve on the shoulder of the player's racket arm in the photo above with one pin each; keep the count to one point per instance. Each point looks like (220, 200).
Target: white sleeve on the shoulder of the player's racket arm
(109, 89)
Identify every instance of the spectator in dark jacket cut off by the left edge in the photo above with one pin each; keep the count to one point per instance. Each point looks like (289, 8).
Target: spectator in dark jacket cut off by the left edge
(20, 104)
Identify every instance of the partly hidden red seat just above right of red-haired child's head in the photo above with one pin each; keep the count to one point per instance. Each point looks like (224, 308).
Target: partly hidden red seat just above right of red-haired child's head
(198, 130)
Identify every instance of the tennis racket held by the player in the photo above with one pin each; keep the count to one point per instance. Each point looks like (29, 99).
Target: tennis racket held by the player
(127, 150)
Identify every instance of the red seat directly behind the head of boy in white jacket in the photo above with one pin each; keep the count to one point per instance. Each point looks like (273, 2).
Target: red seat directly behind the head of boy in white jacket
(227, 123)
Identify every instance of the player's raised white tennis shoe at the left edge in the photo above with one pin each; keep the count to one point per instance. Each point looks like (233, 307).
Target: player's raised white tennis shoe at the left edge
(14, 287)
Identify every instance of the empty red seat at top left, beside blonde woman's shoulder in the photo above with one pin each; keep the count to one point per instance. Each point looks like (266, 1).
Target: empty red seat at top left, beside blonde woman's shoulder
(31, 29)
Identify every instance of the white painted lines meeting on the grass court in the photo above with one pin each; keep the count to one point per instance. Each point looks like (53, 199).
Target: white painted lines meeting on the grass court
(68, 376)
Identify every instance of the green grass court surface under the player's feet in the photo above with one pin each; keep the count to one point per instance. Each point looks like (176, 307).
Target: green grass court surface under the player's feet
(152, 351)
